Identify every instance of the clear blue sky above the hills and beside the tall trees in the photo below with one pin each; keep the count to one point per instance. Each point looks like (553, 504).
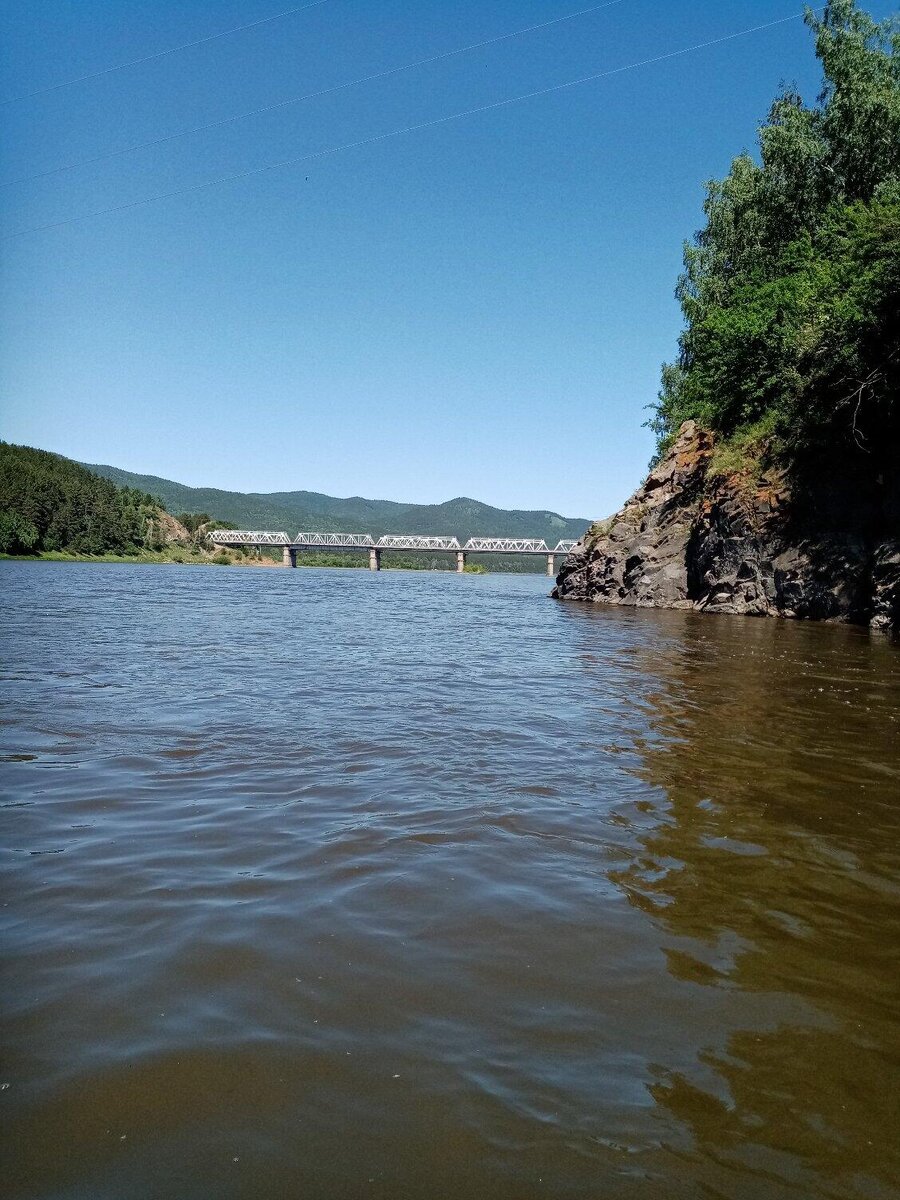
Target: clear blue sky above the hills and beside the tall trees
(476, 309)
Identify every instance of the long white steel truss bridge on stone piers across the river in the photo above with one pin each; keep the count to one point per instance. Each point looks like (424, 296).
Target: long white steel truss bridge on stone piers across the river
(393, 542)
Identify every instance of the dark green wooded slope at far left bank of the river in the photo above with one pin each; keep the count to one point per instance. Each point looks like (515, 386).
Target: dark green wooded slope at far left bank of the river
(51, 503)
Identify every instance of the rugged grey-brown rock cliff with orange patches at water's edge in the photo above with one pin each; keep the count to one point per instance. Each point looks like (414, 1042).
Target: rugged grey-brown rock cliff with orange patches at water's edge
(686, 541)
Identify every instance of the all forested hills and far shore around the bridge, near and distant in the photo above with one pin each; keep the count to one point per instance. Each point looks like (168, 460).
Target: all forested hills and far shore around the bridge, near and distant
(50, 505)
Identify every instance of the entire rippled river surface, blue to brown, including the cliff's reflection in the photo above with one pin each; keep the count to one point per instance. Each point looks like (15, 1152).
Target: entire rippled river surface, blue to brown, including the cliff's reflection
(333, 885)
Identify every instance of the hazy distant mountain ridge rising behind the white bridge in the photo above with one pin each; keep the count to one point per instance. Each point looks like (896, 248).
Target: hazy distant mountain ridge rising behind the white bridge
(292, 512)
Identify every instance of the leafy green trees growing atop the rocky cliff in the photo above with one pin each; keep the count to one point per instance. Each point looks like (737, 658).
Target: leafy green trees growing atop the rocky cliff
(791, 292)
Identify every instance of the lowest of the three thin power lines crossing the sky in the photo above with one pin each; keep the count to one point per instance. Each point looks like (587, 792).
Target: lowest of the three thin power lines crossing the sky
(394, 134)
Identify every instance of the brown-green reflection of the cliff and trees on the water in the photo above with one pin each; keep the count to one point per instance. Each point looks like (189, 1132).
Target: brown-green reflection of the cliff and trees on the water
(771, 863)
